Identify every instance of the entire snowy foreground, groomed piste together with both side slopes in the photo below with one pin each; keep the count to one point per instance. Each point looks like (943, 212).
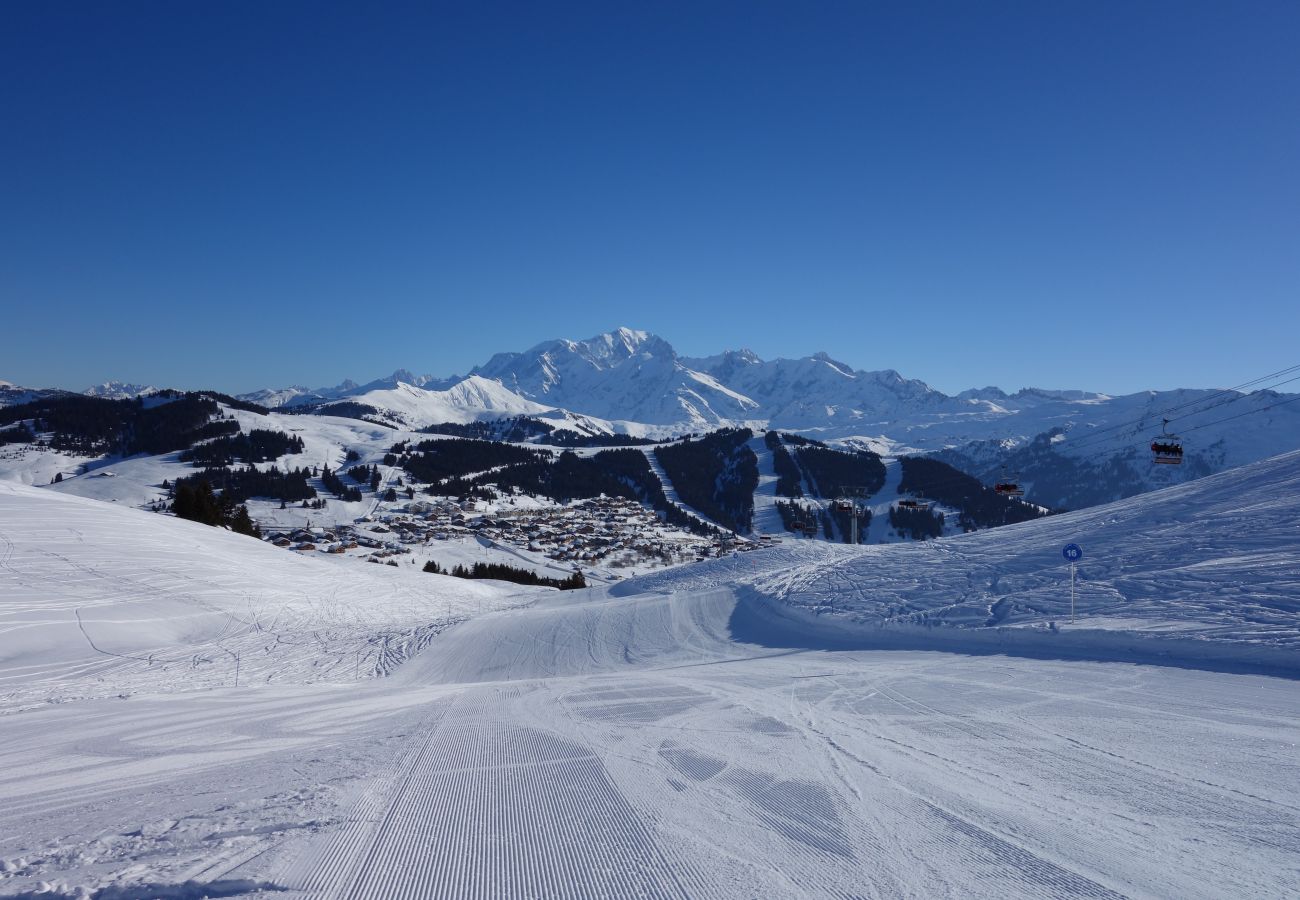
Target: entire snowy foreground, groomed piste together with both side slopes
(905, 721)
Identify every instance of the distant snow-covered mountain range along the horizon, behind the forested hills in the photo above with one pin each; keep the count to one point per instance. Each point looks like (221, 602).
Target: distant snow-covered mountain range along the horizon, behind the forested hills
(1069, 448)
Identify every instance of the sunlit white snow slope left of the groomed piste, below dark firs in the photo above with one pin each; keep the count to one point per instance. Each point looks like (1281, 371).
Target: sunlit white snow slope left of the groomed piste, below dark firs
(99, 599)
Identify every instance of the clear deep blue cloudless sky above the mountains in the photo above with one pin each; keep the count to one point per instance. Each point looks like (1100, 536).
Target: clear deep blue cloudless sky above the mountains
(253, 194)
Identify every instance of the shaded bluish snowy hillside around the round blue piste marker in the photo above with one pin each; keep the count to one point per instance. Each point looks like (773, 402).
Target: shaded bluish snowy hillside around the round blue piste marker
(1198, 572)
